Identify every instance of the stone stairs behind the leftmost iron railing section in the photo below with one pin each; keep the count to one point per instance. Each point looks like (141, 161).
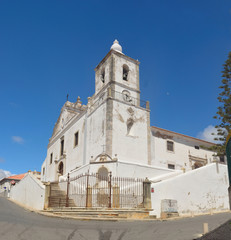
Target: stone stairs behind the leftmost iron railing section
(57, 197)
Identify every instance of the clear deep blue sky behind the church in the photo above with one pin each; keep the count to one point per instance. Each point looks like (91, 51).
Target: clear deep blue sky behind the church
(50, 48)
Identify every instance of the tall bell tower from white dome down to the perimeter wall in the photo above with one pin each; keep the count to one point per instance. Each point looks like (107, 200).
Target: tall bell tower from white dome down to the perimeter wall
(126, 117)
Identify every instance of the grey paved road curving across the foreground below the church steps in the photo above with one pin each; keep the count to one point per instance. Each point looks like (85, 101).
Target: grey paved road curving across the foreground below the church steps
(17, 223)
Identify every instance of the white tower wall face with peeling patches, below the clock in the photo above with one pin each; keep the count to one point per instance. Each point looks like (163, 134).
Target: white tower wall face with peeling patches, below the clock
(130, 147)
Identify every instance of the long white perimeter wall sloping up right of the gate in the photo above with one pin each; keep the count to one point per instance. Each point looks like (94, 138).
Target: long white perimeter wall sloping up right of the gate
(198, 191)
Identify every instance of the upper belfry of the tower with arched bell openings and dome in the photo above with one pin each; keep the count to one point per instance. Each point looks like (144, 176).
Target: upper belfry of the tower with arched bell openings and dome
(119, 72)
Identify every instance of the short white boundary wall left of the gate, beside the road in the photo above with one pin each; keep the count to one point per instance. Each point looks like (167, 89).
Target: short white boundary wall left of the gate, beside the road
(30, 192)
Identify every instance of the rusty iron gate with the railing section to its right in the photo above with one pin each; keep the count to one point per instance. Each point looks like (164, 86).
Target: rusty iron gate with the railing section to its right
(92, 190)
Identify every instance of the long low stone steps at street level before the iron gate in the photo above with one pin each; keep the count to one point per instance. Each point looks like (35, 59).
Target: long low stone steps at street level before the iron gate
(100, 214)
